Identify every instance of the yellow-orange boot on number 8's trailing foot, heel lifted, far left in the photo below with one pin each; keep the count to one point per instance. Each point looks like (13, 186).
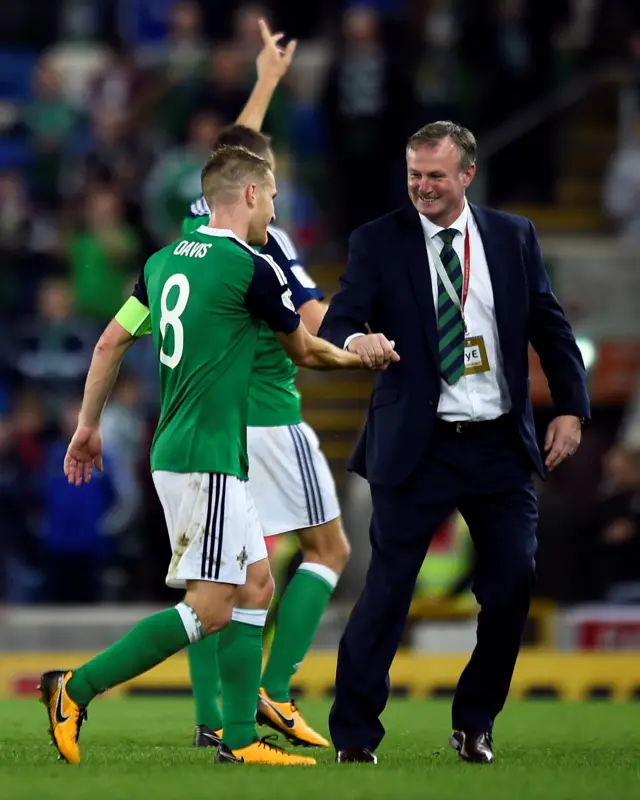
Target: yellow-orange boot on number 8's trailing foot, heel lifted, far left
(65, 716)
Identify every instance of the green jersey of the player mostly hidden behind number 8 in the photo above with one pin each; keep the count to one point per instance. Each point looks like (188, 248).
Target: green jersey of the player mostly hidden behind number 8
(274, 399)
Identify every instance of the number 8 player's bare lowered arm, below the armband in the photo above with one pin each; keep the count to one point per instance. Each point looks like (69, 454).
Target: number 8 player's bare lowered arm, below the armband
(85, 449)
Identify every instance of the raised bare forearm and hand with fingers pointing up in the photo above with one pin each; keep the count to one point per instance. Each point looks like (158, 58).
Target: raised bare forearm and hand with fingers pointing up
(272, 64)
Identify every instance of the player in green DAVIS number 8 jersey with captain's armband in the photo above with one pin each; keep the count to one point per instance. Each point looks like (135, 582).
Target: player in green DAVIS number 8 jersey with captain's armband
(204, 297)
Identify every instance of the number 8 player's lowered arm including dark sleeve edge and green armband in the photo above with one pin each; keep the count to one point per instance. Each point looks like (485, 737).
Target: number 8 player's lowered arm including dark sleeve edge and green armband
(85, 449)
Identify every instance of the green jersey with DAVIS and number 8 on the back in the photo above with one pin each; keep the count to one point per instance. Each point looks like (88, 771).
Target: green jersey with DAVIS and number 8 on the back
(206, 296)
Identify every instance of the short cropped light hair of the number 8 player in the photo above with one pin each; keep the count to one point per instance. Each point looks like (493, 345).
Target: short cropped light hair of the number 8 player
(228, 170)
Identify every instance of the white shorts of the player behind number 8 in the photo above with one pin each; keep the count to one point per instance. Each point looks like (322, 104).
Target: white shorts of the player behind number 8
(290, 479)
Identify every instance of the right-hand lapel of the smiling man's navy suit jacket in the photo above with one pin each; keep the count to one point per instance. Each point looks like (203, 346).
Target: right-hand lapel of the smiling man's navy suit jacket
(496, 249)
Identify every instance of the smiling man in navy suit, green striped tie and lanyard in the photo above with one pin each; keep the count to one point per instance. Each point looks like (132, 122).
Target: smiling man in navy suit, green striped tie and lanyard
(460, 291)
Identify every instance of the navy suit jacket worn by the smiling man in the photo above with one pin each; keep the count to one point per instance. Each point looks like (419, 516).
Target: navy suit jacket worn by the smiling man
(387, 284)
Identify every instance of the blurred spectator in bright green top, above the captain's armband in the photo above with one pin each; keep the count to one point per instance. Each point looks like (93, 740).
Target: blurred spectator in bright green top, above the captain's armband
(103, 255)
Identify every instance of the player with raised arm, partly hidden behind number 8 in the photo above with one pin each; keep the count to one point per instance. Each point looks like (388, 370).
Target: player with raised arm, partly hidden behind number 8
(289, 477)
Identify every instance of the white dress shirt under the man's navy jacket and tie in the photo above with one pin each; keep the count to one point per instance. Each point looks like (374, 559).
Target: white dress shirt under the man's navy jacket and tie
(483, 395)
